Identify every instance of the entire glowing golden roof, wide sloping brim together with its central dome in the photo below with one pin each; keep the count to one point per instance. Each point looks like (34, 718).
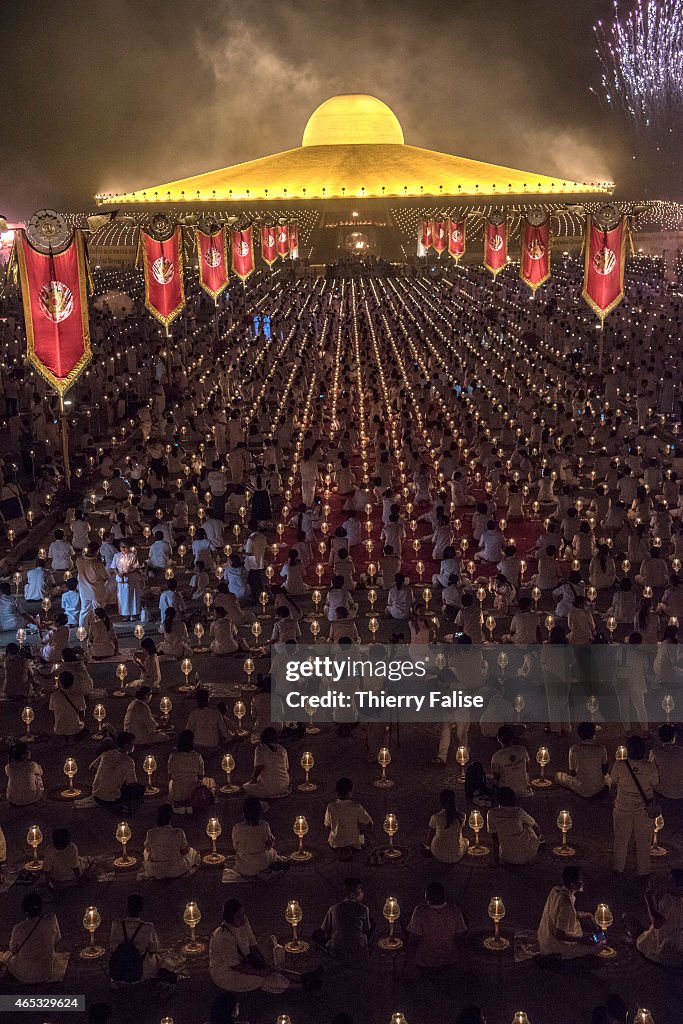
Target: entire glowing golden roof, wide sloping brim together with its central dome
(354, 148)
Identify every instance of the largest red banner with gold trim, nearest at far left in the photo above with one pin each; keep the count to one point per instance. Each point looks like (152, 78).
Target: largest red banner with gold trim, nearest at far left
(56, 310)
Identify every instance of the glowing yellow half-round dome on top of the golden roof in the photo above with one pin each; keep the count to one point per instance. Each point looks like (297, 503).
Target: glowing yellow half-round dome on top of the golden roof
(353, 120)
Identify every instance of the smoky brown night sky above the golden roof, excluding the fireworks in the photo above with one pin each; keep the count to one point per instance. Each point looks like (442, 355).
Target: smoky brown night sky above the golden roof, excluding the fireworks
(116, 96)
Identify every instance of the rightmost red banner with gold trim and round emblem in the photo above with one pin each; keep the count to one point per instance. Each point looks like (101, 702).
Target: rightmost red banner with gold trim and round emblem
(604, 267)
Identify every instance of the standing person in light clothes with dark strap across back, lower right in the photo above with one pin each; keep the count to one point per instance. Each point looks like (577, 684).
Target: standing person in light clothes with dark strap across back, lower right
(635, 781)
